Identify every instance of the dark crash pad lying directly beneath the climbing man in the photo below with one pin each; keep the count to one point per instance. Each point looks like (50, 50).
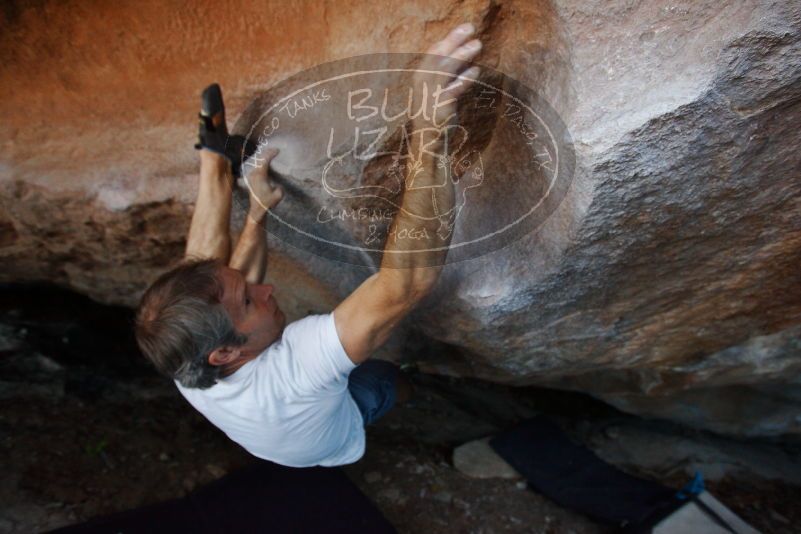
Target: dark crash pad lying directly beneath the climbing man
(263, 497)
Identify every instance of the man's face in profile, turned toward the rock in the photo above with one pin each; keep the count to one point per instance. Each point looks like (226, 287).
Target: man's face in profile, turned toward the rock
(253, 310)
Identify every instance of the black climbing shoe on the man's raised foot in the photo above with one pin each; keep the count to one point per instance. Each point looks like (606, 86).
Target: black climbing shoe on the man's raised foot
(213, 133)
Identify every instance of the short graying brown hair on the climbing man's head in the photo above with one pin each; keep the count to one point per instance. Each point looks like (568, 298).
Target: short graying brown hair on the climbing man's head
(181, 320)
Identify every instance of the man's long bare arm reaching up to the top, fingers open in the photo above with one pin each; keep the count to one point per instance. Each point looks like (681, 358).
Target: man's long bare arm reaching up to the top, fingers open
(408, 271)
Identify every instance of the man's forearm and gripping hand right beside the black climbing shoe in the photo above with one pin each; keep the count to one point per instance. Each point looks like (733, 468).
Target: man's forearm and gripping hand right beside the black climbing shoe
(250, 253)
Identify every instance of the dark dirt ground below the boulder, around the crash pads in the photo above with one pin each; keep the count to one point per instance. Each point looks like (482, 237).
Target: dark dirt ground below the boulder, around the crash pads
(68, 459)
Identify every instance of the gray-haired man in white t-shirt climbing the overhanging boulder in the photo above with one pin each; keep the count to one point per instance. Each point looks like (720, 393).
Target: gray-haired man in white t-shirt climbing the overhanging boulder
(297, 394)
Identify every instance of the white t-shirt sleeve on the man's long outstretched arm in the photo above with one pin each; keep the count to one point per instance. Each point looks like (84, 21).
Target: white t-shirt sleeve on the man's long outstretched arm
(319, 362)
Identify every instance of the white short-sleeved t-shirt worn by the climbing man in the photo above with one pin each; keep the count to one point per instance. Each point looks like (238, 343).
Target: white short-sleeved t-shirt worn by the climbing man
(291, 404)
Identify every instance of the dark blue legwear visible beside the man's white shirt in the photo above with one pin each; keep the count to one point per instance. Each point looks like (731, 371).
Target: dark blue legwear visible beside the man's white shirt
(372, 386)
